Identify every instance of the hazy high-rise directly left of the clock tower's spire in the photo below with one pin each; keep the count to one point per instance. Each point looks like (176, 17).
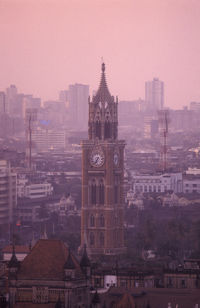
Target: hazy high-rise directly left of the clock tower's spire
(78, 105)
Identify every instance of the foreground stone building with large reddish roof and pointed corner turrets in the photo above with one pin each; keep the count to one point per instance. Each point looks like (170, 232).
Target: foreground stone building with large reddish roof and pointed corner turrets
(49, 276)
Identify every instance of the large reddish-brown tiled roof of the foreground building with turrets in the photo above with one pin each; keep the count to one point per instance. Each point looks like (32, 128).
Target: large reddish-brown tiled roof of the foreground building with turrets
(46, 261)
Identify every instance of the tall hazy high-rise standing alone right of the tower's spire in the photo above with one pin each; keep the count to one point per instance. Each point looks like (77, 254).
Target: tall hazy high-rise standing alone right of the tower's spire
(154, 94)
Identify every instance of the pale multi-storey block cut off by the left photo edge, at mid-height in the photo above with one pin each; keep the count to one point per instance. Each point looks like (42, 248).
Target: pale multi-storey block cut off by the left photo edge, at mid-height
(8, 193)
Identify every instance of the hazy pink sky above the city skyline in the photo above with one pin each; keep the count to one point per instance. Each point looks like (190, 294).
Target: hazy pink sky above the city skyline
(45, 45)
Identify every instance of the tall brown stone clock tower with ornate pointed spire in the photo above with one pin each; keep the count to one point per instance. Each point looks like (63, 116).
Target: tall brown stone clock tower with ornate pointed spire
(102, 223)
